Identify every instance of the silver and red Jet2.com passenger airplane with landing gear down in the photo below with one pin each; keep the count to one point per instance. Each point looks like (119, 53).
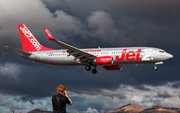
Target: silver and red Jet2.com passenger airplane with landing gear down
(108, 58)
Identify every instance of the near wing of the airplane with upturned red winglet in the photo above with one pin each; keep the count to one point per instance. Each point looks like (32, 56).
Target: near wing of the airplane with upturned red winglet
(77, 53)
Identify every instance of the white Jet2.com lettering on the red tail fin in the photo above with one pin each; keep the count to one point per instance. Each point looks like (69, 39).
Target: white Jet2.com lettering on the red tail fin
(30, 37)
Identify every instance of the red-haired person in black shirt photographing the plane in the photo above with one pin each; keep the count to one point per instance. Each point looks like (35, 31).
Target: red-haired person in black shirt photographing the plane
(60, 100)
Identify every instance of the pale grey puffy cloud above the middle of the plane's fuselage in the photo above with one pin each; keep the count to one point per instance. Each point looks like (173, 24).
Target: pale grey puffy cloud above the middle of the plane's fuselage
(103, 27)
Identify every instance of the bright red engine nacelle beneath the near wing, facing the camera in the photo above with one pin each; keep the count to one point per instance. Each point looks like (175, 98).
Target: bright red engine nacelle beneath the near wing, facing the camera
(103, 60)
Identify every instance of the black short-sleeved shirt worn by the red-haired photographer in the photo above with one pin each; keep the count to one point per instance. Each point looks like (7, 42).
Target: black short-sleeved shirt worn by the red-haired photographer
(59, 106)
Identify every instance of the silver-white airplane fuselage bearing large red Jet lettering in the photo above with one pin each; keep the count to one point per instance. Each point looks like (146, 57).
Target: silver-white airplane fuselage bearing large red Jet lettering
(123, 55)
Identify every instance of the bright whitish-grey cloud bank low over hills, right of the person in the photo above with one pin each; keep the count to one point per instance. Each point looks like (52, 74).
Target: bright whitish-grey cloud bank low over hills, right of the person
(144, 98)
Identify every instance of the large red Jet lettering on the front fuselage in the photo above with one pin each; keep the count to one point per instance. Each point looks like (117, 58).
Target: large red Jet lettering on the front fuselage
(130, 56)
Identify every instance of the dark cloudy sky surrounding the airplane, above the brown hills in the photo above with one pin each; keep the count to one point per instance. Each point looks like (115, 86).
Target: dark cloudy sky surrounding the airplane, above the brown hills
(25, 85)
